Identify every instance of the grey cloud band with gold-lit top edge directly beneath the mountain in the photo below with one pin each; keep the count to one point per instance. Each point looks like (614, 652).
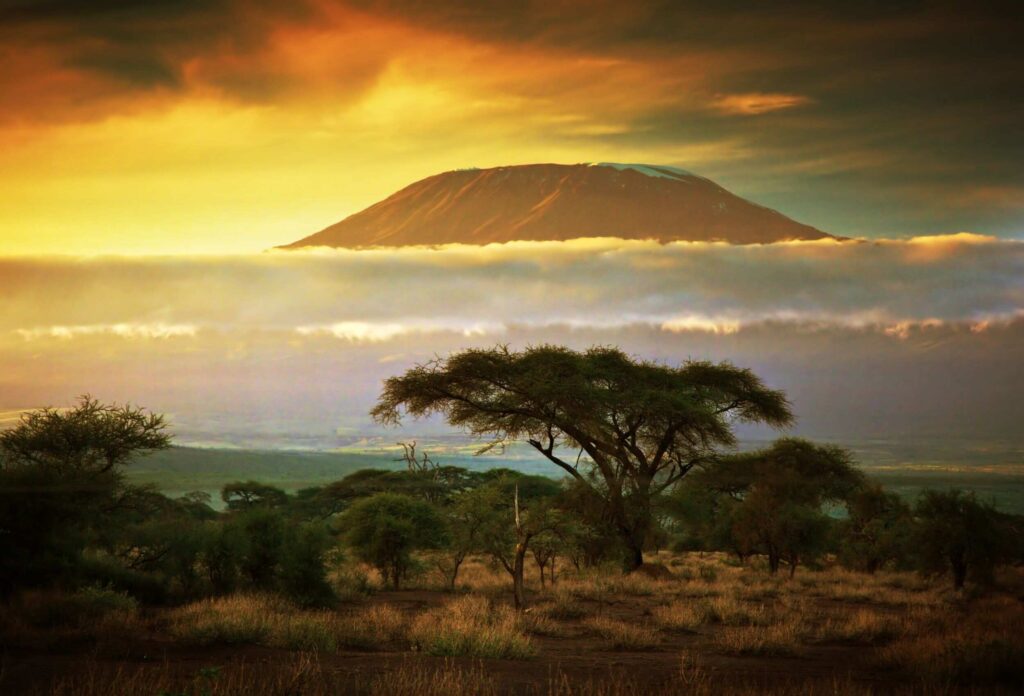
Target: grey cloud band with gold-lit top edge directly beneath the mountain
(376, 295)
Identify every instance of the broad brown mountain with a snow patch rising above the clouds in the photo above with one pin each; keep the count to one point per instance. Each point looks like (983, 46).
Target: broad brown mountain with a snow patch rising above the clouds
(561, 202)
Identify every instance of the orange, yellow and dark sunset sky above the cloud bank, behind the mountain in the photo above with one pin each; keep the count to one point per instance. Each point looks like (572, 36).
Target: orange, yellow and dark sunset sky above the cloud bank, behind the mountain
(181, 127)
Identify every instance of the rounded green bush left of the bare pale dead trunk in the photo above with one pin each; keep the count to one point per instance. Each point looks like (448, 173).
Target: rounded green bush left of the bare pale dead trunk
(385, 531)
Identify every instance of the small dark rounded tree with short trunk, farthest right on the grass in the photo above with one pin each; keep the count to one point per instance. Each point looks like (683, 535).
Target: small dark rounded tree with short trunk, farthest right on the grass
(958, 534)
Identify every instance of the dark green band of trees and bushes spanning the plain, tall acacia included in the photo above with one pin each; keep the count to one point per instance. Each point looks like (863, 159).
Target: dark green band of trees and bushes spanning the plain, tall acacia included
(647, 453)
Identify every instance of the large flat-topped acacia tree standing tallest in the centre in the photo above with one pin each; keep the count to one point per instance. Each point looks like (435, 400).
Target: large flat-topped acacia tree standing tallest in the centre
(641, 426)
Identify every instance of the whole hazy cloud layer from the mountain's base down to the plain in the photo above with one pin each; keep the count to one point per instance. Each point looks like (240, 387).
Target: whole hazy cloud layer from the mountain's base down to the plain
(924, 336)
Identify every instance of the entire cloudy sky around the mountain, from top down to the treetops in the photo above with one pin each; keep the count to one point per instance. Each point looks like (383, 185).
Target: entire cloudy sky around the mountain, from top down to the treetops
(152, 152)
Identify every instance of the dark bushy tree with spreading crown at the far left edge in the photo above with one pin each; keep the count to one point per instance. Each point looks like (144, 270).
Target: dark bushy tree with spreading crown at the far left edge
(61, 485)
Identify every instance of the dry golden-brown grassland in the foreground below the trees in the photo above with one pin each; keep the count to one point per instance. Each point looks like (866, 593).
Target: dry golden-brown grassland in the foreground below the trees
(713, 628)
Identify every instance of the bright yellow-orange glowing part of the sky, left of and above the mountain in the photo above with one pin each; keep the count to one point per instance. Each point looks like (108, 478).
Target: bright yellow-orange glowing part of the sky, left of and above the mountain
(371, 106)
